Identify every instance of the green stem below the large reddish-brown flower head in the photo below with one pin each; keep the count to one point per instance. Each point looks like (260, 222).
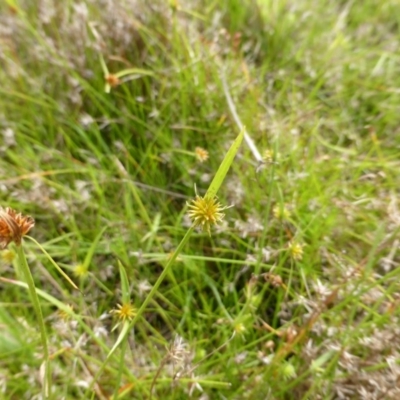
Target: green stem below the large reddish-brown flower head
(24, 267)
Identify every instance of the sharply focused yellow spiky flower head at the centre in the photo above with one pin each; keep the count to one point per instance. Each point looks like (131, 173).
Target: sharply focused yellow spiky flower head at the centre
(205, 212)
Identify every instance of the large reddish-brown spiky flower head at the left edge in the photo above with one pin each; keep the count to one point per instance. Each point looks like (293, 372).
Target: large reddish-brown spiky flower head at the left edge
(13, 226)
